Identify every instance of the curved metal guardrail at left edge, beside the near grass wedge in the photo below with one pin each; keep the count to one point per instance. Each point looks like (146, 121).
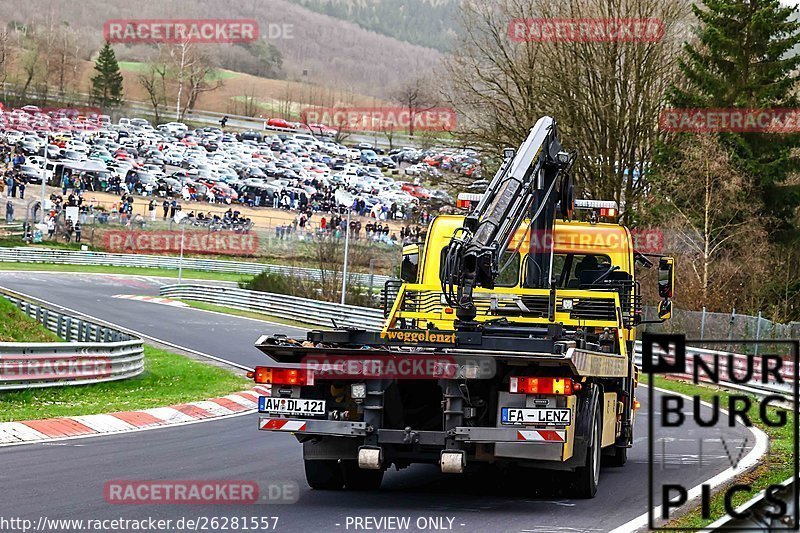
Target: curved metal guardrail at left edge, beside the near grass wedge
(93, 353)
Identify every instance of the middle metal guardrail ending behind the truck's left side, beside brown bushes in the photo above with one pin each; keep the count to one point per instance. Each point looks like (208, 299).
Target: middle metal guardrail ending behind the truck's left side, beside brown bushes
(314, 312)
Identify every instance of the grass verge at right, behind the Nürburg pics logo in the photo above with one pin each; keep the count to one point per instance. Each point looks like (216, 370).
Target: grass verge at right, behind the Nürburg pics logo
(774, 468)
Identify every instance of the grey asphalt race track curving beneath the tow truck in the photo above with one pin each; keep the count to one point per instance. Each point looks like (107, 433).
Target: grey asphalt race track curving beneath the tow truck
(66, 479)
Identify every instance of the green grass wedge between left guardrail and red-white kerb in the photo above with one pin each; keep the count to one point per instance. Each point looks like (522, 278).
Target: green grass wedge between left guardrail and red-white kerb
(168, 379)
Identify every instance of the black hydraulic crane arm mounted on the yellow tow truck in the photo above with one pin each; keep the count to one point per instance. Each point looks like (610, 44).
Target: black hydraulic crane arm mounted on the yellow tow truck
(532, 183)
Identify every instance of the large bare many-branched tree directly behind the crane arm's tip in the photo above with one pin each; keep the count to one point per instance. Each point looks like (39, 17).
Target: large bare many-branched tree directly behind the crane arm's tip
(606, 95)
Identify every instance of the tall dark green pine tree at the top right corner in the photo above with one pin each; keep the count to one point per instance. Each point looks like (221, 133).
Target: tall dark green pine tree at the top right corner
(746, 59)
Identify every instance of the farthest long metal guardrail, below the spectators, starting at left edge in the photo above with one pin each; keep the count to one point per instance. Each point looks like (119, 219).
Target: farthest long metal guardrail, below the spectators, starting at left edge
(74, 257)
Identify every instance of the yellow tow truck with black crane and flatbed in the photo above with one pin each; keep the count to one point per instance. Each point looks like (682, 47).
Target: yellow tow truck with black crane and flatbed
(509, 340)
